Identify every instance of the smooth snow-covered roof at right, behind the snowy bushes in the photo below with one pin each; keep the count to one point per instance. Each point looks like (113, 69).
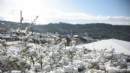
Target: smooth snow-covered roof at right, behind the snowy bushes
(120, 46)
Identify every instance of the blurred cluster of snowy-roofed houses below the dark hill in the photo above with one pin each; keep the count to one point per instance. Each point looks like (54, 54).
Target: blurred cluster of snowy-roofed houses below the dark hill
(43, 38)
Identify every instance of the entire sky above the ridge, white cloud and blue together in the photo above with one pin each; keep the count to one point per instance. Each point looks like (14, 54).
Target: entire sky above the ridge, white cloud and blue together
(68, 11)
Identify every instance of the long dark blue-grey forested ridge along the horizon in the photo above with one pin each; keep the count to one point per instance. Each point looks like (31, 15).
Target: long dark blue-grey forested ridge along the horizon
(94, 30)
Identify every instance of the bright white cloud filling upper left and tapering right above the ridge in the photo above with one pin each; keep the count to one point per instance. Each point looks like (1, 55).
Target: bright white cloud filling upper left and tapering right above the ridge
(47, 13)
